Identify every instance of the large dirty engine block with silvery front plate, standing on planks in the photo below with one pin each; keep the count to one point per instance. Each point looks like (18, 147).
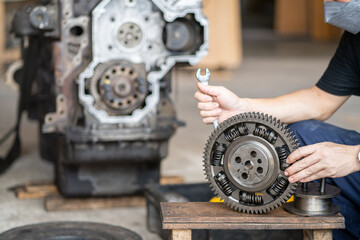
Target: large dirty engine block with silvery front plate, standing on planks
(101, 85)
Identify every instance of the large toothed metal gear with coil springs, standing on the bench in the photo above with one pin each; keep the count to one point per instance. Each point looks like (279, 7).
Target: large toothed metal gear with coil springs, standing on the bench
(245, 159)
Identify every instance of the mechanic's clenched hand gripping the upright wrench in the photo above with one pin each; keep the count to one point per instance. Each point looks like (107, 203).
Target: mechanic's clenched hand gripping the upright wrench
(217, 102)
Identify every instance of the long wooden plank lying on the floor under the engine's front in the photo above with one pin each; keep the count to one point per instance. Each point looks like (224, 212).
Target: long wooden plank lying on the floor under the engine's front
(59, 203)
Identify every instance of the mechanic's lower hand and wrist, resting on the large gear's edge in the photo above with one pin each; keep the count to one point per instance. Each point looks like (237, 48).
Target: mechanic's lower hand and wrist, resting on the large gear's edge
(321, 160)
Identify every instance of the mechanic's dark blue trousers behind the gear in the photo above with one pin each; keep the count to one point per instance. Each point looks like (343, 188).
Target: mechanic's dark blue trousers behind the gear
(310, 132)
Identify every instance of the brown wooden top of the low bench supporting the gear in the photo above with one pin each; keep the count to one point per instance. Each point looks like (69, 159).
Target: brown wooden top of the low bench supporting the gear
(206, 215)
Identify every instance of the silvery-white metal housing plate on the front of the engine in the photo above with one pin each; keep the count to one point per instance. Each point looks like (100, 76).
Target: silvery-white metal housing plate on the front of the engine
(134, 32)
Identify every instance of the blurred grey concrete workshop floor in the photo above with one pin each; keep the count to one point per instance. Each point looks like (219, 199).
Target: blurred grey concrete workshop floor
(269, 68)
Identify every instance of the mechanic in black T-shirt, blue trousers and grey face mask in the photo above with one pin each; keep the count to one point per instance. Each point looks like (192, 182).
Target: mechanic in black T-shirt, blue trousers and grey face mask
(326, 150)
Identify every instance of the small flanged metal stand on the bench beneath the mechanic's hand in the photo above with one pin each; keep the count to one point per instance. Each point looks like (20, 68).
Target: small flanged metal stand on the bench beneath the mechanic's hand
(314, 199)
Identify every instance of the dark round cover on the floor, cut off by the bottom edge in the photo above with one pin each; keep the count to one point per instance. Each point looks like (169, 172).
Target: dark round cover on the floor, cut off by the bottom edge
(69, 231)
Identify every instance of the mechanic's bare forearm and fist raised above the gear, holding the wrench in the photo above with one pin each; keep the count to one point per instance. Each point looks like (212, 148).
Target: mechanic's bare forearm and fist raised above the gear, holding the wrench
(313, 103)
